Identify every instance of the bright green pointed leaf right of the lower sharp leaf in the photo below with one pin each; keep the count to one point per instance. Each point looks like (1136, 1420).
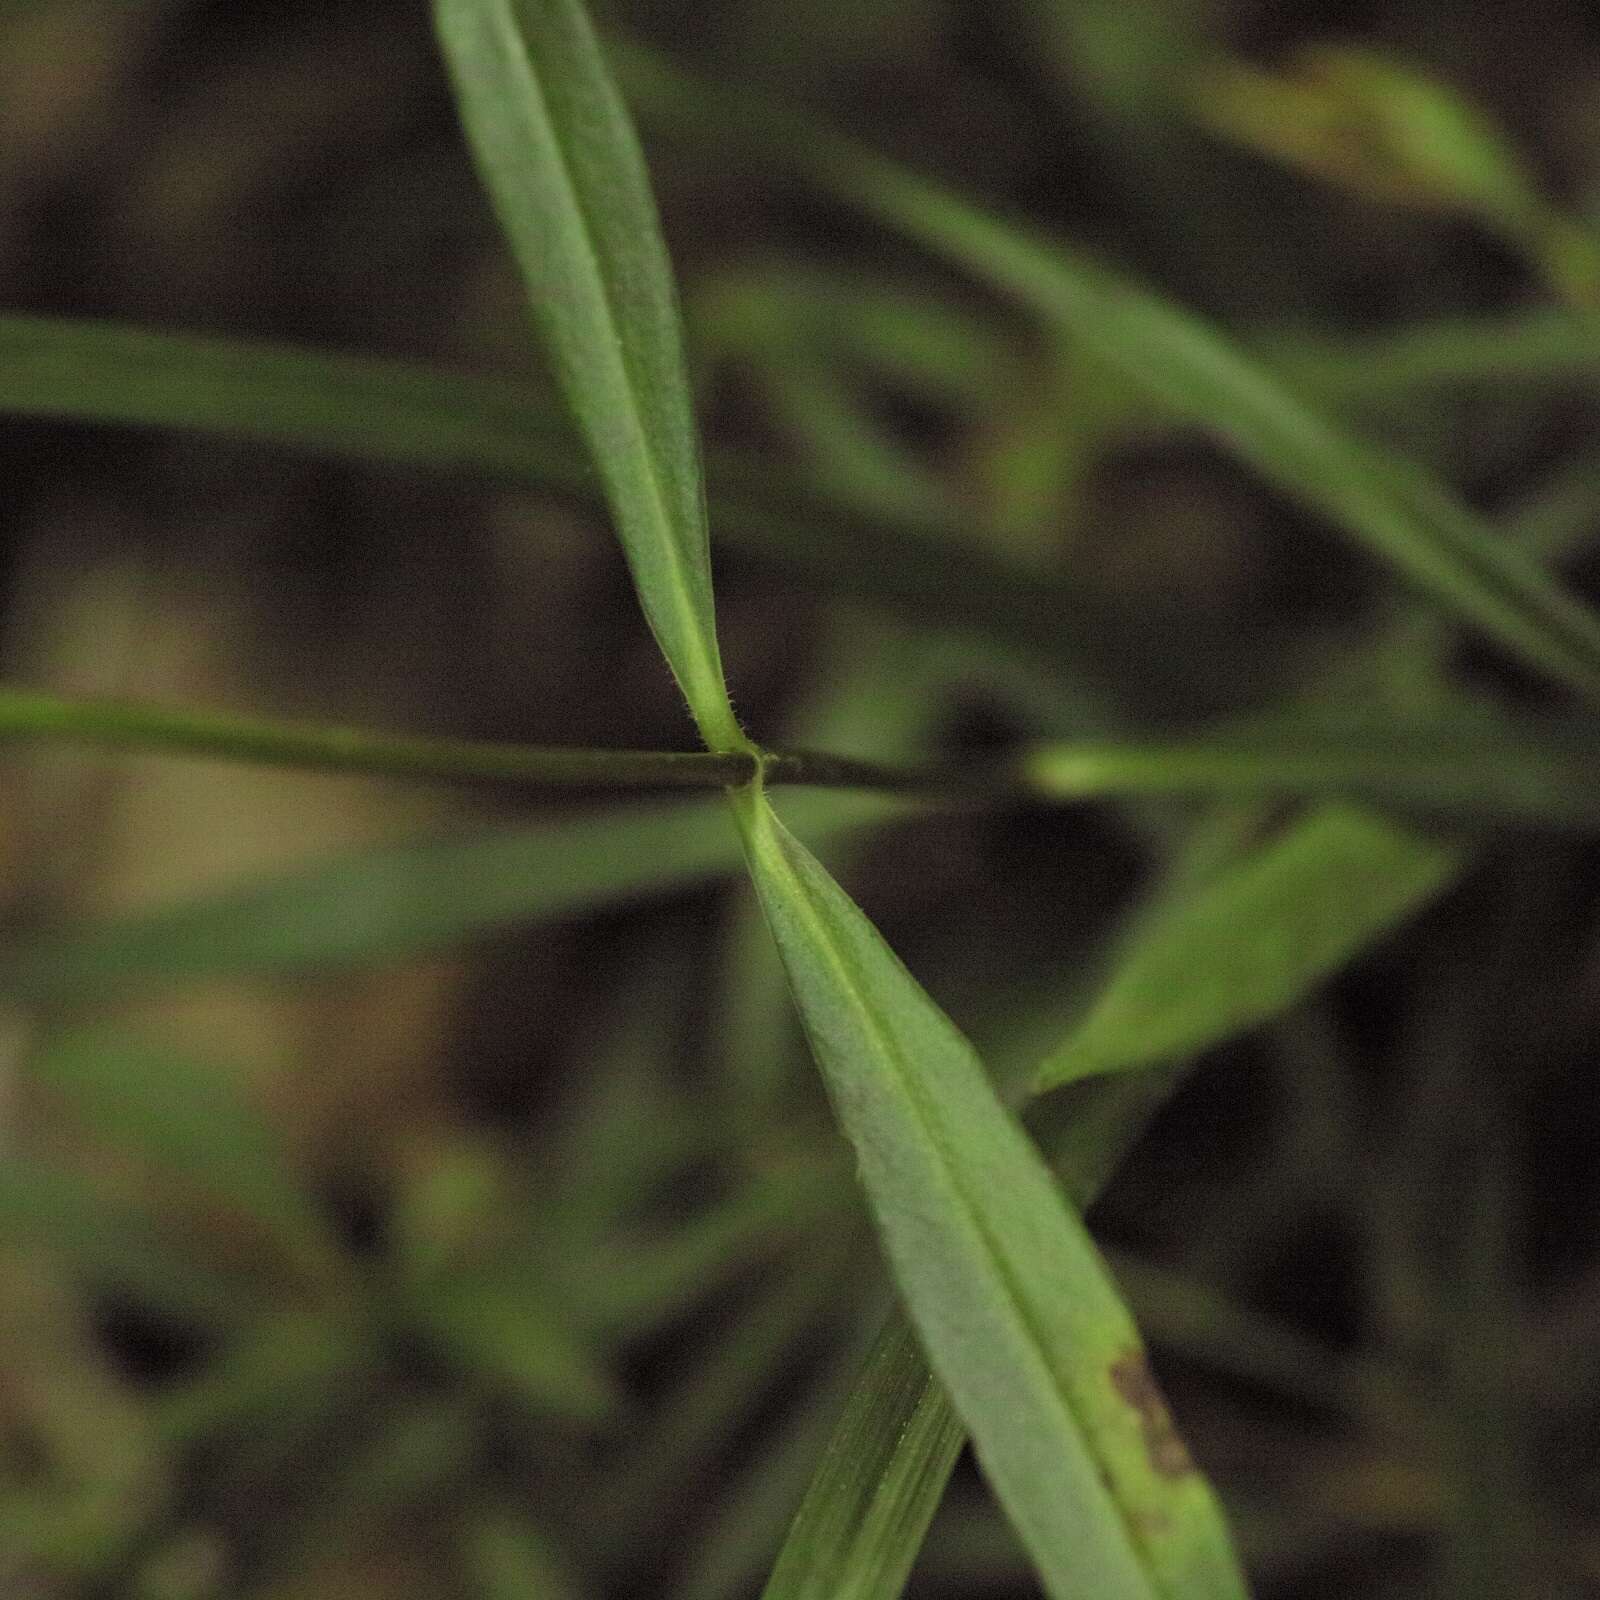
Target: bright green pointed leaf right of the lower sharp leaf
(1252, 940)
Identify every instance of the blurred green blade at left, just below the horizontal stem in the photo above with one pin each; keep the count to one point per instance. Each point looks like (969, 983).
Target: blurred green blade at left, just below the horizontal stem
(396, 902)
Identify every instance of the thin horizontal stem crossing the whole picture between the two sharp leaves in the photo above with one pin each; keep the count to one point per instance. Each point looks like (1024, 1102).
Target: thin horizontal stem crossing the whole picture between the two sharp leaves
(1462, 769)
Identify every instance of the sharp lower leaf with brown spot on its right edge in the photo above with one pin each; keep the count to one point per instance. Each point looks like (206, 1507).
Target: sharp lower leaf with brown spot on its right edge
(1009, 1295)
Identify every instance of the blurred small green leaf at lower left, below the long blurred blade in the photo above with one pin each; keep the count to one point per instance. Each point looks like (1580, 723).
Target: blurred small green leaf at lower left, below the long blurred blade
(158, 1103)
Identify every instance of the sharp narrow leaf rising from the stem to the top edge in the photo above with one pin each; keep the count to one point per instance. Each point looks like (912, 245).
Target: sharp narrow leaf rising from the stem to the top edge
(562, 166)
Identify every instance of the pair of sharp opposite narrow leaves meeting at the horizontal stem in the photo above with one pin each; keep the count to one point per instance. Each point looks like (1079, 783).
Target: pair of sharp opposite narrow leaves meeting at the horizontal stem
(998, 1273)
